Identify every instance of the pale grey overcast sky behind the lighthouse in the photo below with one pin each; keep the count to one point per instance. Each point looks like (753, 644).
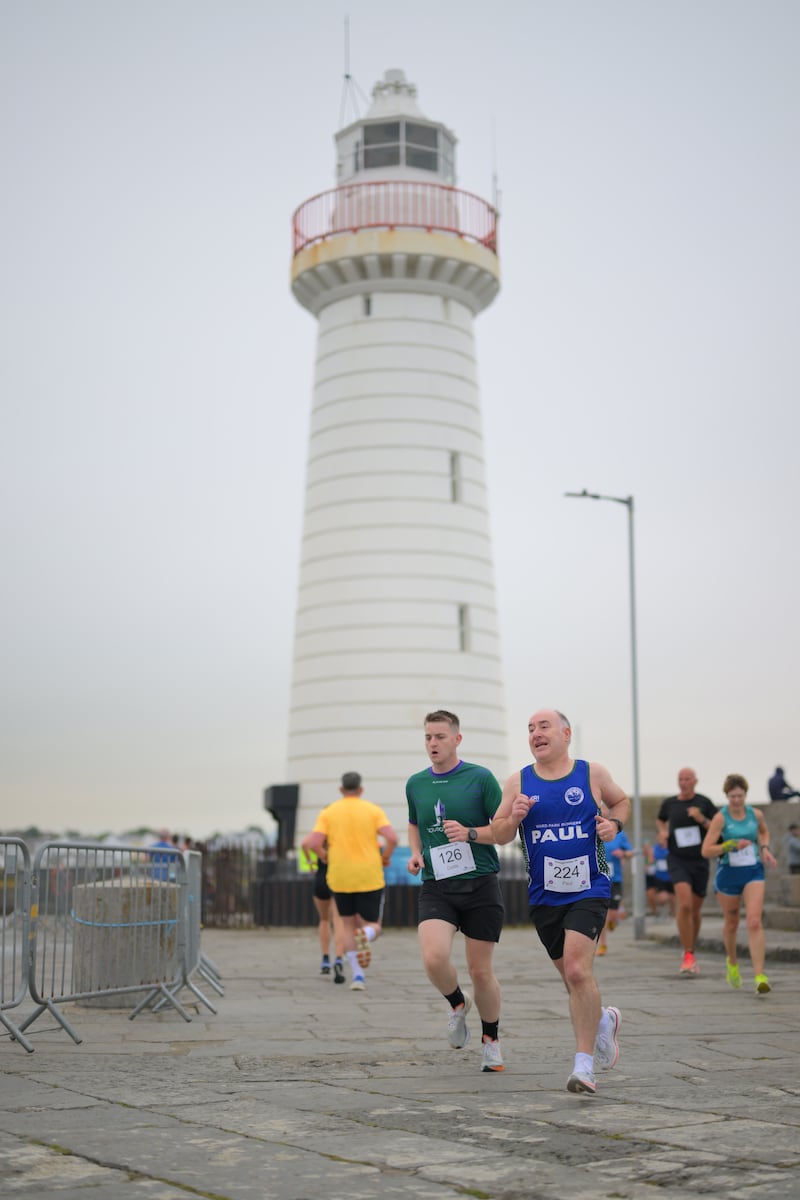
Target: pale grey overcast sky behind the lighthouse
(158, 374)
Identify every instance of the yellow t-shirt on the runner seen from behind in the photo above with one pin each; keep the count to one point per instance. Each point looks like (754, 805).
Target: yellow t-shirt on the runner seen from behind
(351, 827)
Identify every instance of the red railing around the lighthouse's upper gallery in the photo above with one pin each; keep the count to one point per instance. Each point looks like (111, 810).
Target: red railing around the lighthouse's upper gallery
(395, 205)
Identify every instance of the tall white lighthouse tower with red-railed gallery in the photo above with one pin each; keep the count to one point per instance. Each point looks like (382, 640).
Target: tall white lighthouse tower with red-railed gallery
(396, 610)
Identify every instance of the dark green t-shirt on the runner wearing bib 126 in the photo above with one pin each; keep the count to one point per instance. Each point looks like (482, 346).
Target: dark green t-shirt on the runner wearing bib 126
(470, 795)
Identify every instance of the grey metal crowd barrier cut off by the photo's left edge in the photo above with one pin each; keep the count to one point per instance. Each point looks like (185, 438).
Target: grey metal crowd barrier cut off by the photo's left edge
(15, 931)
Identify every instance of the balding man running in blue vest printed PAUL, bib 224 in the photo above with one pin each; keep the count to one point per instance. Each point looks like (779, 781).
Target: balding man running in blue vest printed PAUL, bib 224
(566, 811)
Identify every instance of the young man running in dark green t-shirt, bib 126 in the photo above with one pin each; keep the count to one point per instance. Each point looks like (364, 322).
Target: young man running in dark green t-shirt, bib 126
(450, 808)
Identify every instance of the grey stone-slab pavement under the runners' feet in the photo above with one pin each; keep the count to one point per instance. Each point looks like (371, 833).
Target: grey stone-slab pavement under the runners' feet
(299, 1090)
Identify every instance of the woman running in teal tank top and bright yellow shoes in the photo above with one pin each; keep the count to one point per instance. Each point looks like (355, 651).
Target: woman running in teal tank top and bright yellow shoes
(739, 839)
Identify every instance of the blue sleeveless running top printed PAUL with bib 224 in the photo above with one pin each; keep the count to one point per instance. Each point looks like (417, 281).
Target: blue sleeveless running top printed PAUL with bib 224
(566, 859)
